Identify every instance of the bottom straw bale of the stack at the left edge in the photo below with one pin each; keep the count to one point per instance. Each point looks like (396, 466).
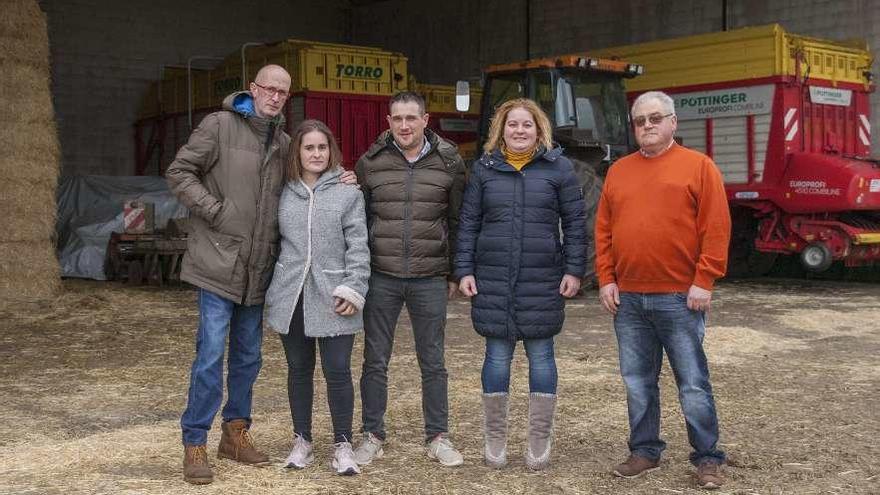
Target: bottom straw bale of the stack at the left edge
(28, 271)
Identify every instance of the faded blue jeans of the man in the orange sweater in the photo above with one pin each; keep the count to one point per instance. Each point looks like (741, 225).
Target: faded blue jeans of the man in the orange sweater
(646, 325)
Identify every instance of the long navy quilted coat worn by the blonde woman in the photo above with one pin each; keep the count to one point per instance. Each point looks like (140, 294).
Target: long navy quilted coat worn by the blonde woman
(509, 240)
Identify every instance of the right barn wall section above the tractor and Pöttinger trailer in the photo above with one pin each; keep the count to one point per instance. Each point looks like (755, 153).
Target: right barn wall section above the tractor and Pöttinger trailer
(463, 36)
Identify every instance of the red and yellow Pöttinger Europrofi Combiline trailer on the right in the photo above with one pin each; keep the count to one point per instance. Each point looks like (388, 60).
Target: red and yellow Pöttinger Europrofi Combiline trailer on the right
(787, 120)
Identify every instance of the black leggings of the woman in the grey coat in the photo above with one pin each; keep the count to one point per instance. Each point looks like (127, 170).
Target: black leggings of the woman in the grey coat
(336, 364)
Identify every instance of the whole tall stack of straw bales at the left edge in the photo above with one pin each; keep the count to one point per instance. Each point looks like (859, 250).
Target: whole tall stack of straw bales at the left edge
(29, 155)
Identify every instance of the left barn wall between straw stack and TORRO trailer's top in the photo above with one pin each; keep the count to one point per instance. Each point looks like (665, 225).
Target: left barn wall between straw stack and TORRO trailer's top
(105, 53)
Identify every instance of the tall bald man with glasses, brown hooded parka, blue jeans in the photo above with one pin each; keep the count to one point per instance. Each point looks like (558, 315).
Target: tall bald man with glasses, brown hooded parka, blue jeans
(230, 174)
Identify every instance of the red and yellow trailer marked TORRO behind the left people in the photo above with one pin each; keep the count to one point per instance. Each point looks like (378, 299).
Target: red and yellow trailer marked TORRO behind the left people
(345, 86)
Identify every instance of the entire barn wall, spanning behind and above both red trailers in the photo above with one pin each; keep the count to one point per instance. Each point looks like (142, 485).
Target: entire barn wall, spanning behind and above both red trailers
(106, 52)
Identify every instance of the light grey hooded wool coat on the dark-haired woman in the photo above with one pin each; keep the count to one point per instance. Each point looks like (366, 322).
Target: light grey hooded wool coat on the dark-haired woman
(324, 254)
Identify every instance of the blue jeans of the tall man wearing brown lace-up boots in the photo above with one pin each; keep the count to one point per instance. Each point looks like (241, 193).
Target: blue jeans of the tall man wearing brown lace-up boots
(217, 317)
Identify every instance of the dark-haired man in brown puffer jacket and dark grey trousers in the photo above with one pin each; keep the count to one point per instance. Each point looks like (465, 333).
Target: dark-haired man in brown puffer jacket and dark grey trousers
(413, 182)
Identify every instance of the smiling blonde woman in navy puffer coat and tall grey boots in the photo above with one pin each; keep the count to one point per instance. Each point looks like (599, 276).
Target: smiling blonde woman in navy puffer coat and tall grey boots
(511, 260)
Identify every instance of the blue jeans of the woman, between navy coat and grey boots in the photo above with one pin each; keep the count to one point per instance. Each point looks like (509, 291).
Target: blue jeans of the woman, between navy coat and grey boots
(542, 365)
